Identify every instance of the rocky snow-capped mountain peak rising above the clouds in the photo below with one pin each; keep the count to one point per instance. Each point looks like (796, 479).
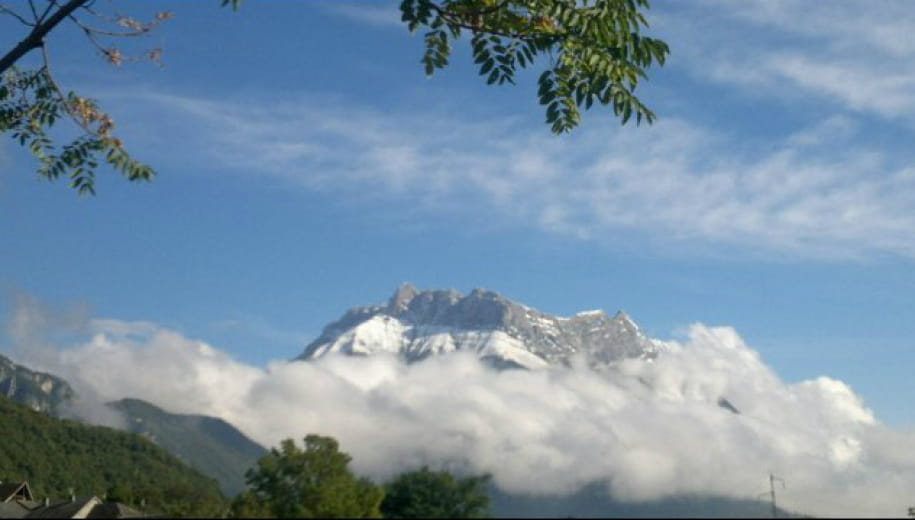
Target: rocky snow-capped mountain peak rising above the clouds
(416, 324)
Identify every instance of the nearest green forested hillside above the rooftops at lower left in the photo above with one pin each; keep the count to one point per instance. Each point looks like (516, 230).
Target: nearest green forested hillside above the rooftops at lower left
(56, 456)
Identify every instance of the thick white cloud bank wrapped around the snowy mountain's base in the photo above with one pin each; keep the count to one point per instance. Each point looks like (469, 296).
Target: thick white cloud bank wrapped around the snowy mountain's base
(650, 430)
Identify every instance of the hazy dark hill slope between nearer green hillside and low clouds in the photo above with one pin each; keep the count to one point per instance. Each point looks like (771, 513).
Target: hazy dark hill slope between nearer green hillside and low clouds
(212, 446)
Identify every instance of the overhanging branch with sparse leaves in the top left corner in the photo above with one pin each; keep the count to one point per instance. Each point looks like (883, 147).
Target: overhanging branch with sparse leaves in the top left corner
(31, 102)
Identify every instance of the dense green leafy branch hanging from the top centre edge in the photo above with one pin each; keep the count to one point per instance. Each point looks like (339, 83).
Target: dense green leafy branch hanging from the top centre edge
(595, 49)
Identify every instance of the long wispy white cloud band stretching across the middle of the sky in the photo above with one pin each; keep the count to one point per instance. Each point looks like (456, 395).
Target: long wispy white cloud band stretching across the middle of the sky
(824, 191)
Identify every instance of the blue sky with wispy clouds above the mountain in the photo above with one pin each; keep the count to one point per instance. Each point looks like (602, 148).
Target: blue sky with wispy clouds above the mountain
(306, 165)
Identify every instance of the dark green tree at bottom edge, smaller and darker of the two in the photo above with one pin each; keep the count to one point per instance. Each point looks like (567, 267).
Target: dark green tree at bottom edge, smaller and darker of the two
(435, 494)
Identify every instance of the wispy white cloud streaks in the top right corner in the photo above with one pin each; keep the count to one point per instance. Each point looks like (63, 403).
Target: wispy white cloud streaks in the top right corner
(859, 55)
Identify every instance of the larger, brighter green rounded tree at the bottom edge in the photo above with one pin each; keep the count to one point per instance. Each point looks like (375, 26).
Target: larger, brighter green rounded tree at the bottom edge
(312, 483)
